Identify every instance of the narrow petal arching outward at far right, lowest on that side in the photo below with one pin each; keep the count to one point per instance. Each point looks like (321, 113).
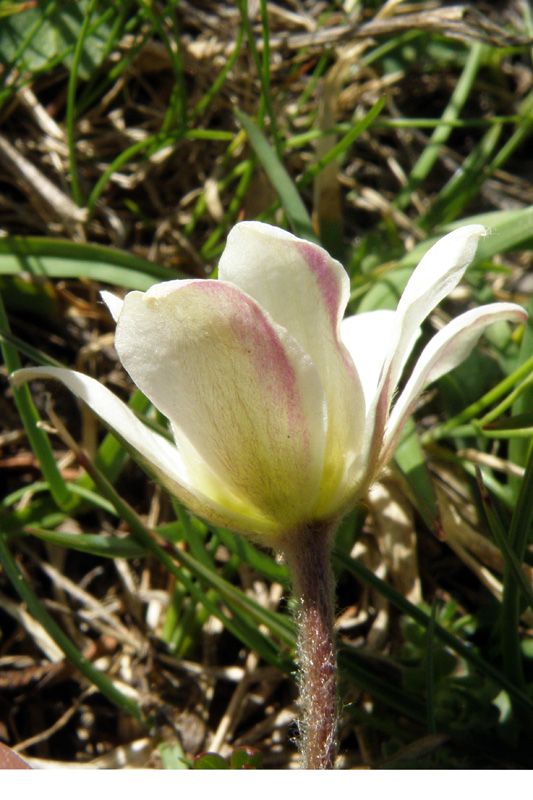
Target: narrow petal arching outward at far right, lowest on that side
(445, 351)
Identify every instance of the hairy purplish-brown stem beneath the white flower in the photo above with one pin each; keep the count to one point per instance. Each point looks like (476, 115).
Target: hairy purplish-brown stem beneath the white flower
(307, 553)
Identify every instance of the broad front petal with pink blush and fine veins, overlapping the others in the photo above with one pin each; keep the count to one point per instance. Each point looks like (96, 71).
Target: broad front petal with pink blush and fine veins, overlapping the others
(245, 402)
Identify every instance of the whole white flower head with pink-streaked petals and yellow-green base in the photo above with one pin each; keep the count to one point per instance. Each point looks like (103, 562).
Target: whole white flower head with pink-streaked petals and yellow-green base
(278, 422)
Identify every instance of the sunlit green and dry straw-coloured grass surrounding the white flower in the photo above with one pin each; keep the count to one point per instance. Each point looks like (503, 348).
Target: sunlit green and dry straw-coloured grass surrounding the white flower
(170, 127)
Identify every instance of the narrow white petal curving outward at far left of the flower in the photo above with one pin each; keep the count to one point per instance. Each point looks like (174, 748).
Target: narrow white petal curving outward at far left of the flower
(153, 451)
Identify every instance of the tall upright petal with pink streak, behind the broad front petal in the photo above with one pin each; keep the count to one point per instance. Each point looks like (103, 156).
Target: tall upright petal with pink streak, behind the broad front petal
(306, 292)
